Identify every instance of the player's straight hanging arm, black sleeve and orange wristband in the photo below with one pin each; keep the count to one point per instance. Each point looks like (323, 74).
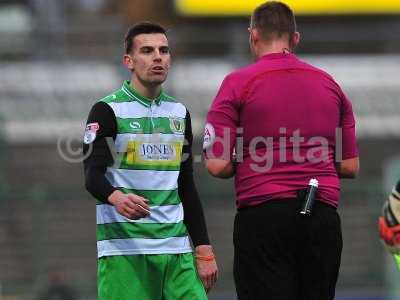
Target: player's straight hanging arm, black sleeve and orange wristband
(194, 215)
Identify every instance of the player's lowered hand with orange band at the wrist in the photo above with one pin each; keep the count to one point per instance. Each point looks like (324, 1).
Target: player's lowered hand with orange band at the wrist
(206, 266)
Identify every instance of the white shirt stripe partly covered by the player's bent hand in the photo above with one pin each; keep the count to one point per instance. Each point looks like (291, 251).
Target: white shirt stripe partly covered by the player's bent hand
(158, 214)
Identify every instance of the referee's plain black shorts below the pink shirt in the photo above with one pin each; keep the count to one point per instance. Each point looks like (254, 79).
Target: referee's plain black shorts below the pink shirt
(282, 255)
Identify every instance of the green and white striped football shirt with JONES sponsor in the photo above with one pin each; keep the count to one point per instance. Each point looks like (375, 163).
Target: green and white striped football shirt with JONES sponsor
(148, 145)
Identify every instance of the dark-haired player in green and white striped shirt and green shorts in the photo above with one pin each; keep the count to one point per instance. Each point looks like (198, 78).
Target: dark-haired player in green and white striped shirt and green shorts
(139, 168)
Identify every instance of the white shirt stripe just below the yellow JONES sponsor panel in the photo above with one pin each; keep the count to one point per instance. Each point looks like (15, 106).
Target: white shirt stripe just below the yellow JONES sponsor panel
(143, 179)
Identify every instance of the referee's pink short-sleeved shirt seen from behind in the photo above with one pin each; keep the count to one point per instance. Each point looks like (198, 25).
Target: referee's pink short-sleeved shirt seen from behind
(273, 100)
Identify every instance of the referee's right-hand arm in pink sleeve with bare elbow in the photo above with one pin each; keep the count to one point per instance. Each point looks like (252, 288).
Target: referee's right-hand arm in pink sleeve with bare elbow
(349, 166)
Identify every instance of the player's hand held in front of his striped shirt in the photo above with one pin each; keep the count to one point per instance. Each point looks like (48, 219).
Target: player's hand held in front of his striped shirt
(129, 205)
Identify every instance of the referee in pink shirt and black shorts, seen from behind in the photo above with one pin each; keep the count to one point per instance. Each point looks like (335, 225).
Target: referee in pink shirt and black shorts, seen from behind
(275, 125)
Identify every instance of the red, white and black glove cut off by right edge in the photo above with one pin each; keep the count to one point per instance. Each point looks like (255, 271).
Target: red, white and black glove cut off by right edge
(389, 223)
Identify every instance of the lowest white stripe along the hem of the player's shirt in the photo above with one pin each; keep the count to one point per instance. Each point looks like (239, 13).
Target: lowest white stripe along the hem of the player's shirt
(134, 246)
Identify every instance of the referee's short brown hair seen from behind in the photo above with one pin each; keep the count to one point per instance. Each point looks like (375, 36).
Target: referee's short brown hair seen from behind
(274, 19)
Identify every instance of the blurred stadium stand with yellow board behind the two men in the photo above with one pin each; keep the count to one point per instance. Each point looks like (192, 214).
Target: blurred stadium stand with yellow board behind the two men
(57, 57)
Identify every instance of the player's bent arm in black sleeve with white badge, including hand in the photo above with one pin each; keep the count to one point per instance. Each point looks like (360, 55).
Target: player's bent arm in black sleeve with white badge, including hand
(100, 133)
